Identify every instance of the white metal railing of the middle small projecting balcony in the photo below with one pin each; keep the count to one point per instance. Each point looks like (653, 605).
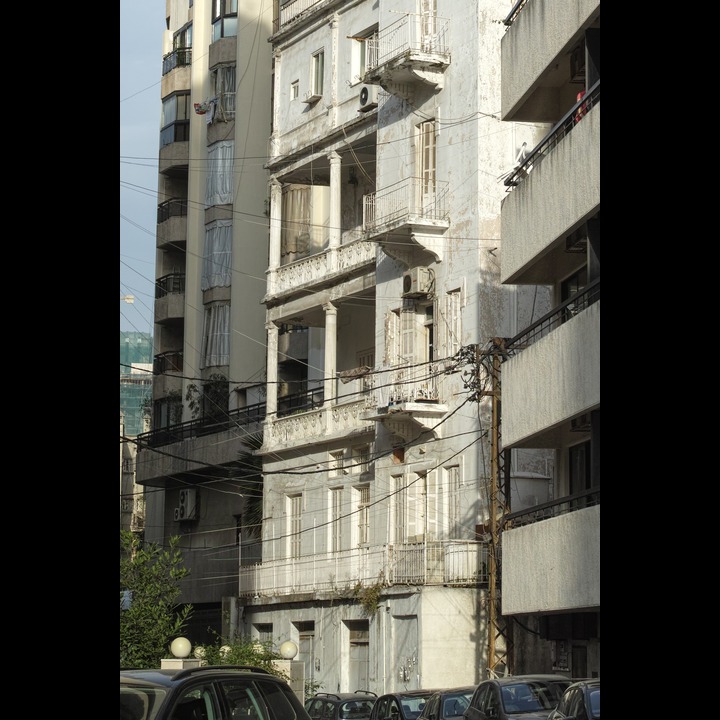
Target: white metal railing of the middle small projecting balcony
(407, 200)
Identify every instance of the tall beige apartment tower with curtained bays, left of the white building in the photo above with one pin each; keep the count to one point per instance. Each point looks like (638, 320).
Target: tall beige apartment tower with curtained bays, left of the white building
(212, 235)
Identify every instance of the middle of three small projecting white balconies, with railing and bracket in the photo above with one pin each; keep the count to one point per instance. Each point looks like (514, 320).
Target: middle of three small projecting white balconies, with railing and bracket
(408, 219)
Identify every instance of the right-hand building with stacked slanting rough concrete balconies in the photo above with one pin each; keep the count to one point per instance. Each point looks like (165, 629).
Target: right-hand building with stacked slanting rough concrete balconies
(551, 379)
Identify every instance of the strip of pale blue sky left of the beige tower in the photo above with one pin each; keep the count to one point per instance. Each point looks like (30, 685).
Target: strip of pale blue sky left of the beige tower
(142, 23)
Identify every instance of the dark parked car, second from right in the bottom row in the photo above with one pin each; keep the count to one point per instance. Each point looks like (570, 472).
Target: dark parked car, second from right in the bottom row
(525, 697)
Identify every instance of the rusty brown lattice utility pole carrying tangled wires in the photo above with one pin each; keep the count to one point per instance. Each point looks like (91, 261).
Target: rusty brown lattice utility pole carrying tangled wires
(500, 645)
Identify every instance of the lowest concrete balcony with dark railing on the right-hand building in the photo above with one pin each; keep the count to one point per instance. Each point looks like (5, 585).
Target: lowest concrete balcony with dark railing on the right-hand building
(532, 541)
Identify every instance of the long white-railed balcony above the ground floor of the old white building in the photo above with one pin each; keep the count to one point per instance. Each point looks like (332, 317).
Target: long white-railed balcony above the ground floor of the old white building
(460, 563)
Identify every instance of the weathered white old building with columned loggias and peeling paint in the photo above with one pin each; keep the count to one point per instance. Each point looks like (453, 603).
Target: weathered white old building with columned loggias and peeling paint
(386, 153)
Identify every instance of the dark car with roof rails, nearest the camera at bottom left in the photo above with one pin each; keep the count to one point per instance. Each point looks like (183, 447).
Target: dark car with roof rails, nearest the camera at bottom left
(223, 692)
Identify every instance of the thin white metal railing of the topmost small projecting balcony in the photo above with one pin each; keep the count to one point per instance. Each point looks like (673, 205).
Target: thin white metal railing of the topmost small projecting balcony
(425, 34)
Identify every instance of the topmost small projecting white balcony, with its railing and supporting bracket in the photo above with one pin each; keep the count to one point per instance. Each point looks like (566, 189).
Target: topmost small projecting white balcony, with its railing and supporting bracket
(410, 54)
